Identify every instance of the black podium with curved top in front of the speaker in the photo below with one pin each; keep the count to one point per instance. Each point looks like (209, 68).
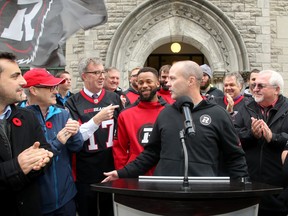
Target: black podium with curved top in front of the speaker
(201, 198)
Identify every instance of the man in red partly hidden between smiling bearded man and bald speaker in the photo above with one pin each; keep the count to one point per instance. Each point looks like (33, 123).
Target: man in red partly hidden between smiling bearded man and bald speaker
(163, 79)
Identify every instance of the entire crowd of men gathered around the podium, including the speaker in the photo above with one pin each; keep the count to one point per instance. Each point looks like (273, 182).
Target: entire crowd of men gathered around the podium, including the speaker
(55, 143)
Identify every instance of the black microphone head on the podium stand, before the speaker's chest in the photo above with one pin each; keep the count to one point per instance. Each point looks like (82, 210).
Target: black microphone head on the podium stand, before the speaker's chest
(184, 104)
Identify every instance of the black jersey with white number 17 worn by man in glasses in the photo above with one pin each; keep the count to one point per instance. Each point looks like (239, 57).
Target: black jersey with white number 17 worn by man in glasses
(96, 154)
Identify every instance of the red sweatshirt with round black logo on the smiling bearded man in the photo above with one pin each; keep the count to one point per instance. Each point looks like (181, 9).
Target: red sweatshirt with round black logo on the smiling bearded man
(134, 127)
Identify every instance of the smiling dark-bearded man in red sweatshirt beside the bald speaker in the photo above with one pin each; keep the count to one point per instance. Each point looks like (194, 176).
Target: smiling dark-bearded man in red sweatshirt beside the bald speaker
(135, 123)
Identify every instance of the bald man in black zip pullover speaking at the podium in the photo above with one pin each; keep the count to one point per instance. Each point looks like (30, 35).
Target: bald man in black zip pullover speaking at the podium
(209, 134)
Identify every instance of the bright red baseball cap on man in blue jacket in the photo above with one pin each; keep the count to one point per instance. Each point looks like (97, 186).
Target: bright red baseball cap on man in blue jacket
(41, 77)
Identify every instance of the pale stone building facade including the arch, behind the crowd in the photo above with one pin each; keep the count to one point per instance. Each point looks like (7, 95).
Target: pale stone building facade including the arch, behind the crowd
(234, 35)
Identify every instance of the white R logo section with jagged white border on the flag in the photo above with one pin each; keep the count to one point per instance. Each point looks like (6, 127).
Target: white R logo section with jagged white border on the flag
(22, 26)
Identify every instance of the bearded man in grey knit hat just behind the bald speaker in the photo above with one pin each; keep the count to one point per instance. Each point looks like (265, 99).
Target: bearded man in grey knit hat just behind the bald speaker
(207, 90)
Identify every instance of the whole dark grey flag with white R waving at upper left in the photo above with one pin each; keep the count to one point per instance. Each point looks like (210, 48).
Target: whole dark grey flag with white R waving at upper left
(35, 30)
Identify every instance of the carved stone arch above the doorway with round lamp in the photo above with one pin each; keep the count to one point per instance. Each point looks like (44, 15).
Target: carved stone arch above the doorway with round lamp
(198, 23)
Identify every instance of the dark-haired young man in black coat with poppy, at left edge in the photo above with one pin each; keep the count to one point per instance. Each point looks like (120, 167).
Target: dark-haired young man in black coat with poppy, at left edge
(23, 150)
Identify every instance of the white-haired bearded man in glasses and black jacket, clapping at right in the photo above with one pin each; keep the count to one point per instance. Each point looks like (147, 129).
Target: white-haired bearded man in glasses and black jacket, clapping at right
(262, 126)
